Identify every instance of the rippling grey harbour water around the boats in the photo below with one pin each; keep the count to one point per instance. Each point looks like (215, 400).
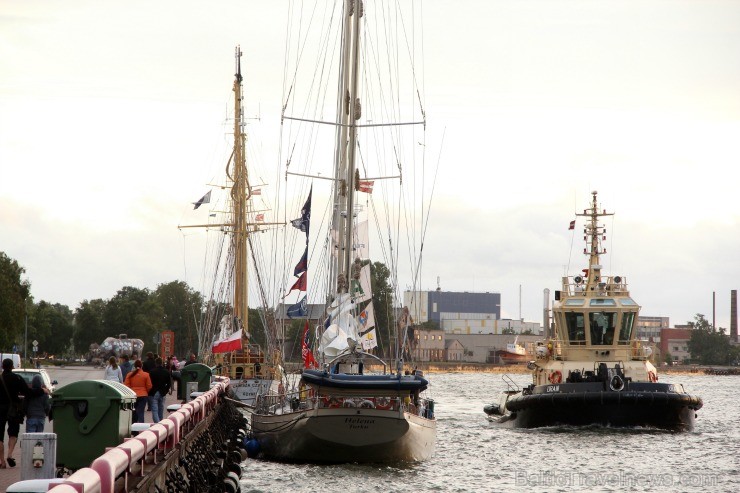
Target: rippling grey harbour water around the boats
(474, 455)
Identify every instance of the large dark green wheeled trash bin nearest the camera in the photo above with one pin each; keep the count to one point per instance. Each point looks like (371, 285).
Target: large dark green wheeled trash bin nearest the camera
(89, 416)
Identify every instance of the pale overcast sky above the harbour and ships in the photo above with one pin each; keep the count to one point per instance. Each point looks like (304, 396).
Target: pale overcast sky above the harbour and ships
(112, 114)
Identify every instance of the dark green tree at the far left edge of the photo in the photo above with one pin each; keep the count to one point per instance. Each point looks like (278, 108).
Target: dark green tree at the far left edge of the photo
(14, 293)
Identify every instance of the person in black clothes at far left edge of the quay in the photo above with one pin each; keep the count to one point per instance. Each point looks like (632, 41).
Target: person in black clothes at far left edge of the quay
(11, 387)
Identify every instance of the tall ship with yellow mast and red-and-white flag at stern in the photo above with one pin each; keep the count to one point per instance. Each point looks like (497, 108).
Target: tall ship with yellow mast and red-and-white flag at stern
(224, 337)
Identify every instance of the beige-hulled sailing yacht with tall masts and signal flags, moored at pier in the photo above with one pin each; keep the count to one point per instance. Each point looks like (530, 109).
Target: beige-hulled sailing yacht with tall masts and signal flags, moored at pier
(351, 404)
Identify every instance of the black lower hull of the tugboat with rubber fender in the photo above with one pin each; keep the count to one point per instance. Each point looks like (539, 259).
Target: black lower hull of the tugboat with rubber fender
(664, 410)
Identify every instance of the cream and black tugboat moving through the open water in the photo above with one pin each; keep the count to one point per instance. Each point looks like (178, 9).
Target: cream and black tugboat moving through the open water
(593, 370)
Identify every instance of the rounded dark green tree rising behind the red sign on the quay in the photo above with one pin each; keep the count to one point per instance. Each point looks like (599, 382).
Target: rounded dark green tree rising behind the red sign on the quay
(182, 307)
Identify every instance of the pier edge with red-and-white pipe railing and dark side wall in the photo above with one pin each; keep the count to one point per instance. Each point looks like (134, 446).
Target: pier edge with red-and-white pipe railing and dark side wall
(173, 455)
